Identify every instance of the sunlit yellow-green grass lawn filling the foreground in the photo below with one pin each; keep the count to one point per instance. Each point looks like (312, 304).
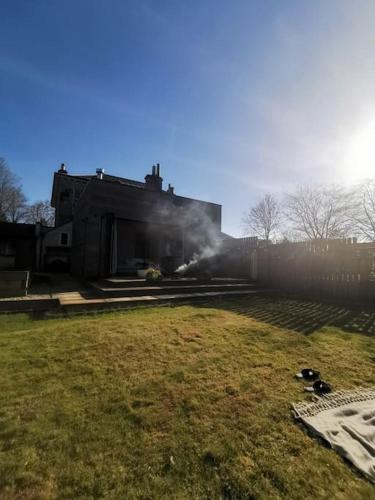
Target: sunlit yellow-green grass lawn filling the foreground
(183, 402)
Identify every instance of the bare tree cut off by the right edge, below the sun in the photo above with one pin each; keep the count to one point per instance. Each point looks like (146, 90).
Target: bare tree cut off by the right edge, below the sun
(363, 212)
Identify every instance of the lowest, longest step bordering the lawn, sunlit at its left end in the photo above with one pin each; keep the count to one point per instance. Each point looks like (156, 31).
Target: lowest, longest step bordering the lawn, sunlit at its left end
(75, 302)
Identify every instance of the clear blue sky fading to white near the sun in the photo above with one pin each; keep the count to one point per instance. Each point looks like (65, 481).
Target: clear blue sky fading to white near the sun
(232, 98)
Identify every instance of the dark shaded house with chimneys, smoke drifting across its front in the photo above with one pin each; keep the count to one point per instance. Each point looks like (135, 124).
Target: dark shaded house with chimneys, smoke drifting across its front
(119, 226)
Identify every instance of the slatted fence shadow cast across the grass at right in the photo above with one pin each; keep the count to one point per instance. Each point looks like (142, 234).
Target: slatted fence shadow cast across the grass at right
(300, 315)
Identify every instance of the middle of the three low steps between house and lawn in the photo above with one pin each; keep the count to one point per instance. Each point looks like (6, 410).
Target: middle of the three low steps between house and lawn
(162, 289)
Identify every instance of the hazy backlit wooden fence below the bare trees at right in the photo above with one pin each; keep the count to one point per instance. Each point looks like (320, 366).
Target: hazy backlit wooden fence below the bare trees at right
(339, 269)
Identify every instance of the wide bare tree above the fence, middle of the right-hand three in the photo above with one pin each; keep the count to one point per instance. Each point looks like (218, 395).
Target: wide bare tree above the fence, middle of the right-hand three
(319, 212)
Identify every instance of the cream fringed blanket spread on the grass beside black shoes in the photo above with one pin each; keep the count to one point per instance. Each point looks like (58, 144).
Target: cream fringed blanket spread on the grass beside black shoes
(346, 420)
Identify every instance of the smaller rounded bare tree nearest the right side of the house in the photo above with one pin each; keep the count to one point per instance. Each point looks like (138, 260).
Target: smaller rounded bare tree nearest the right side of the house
(264, 218)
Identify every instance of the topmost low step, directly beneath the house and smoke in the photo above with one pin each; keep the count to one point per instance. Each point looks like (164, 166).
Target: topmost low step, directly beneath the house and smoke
(122, 282)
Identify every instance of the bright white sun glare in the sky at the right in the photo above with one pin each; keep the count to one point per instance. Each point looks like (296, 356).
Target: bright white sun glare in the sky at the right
(359, 159)
